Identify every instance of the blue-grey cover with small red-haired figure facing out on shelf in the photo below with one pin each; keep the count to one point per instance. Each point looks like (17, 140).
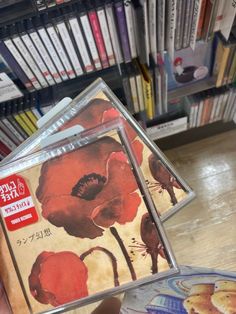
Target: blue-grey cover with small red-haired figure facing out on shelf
(189, 66)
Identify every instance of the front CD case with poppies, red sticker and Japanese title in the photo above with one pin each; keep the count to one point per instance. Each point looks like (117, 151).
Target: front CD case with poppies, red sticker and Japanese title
(80, 222)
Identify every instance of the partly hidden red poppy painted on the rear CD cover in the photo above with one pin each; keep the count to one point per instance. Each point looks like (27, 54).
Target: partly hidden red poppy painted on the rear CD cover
(98, 111)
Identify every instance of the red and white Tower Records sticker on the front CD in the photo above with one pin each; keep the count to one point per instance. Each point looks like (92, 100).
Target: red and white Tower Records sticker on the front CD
(17, 207)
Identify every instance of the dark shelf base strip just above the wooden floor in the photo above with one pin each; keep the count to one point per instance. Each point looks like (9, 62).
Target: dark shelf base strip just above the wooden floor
(194, 134)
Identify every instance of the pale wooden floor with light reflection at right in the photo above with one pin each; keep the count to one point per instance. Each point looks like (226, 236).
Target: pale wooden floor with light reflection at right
(204, 232)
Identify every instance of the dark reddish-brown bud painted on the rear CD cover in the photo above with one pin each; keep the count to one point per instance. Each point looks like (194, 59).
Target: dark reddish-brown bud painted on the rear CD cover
(164, 178)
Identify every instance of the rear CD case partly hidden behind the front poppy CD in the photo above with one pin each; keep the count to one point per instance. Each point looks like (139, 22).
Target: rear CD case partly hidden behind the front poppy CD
(96, 105)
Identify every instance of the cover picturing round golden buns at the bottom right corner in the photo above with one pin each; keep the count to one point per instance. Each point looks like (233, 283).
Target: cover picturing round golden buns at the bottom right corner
(194, 290)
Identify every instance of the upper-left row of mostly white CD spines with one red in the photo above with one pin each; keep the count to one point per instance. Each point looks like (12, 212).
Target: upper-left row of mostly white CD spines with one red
(45, 52)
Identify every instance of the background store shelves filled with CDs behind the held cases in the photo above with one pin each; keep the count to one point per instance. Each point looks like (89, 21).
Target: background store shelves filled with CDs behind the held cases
(172, 80)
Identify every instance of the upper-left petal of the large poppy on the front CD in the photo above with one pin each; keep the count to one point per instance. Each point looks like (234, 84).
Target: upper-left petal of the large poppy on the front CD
(61, 174)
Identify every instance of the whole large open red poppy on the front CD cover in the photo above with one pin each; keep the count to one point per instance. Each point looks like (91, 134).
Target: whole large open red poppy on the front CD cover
(89, 189)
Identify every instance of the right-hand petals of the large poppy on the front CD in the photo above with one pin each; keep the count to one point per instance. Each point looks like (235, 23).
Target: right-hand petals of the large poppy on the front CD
(121, 183)
